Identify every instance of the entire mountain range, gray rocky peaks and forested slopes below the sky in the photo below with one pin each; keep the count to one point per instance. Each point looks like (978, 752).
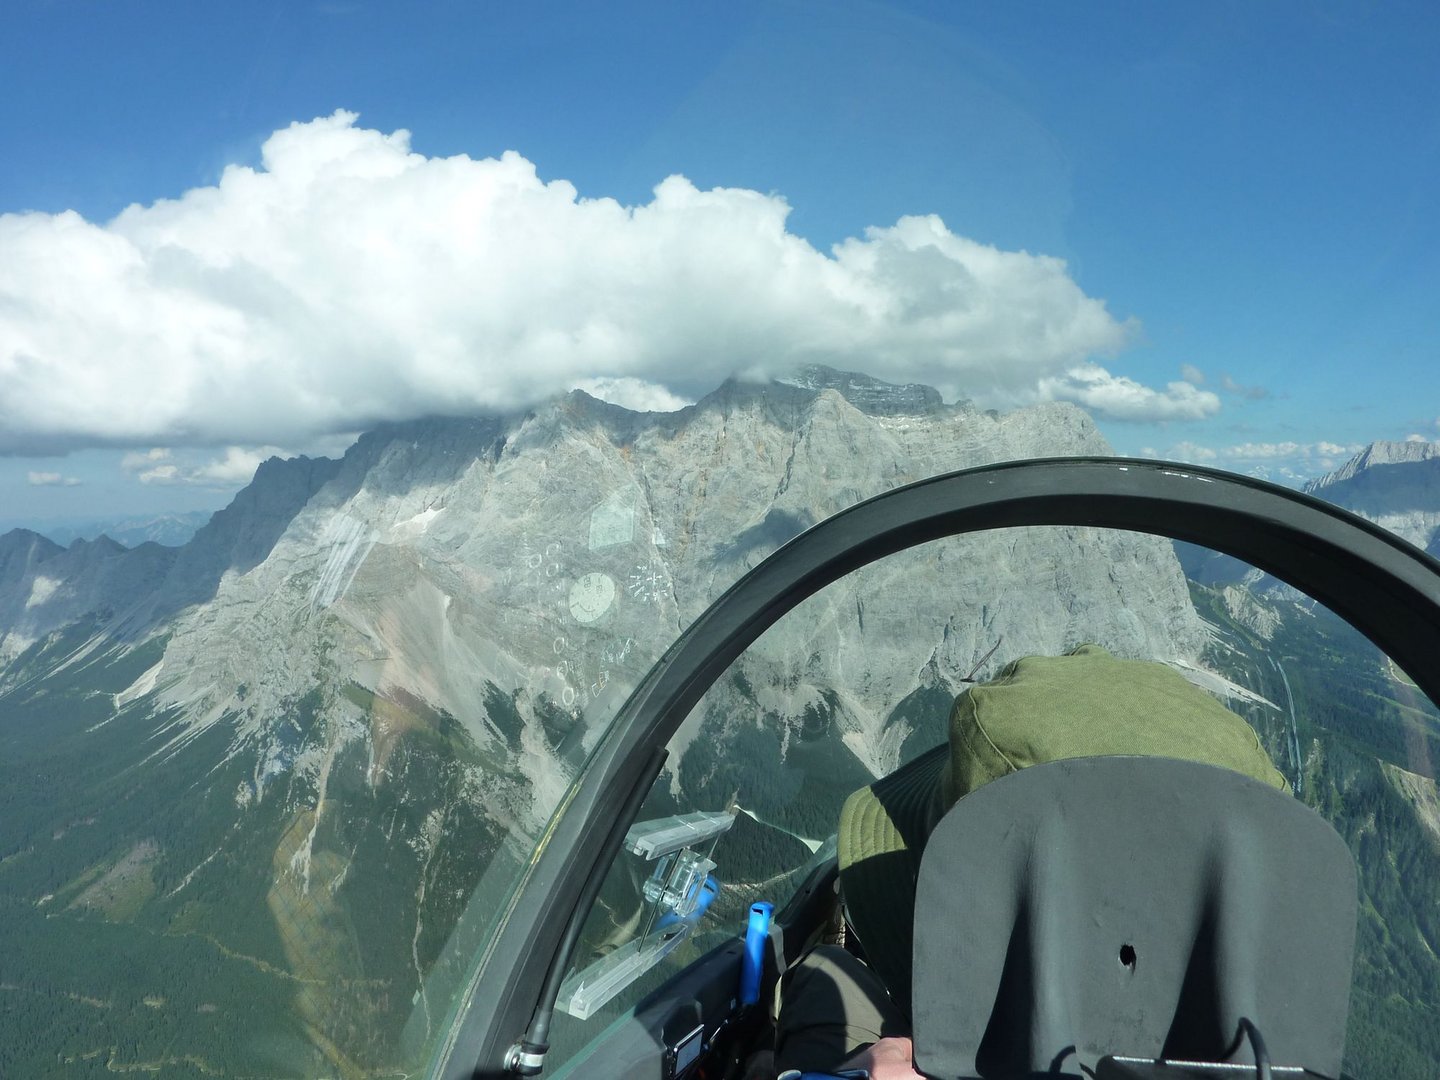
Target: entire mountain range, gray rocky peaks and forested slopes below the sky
(267, 778)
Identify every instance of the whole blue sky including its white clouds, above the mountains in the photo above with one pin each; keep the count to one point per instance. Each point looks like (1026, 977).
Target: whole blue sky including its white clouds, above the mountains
(1245, 198)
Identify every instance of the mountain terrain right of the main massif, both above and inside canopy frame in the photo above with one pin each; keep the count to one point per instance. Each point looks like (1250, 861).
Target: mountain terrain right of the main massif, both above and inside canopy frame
(1363, 748)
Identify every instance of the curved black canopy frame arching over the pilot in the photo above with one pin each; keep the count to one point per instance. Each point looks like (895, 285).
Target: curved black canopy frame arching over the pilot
(1385, 587)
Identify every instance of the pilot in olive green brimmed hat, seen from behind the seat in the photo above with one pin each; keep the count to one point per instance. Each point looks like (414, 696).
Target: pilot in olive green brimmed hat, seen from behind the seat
(843, 1014)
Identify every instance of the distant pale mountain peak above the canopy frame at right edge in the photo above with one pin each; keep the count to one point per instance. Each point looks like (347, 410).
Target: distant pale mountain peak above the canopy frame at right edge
(1395, 485)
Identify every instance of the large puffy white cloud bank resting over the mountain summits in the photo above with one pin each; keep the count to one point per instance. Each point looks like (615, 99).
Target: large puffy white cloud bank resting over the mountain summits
(349, 280)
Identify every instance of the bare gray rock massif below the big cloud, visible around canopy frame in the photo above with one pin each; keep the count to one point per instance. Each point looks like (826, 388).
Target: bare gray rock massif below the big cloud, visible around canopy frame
(555, 555)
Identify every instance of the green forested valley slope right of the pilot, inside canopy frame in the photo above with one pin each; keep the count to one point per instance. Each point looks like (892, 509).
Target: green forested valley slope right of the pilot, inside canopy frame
(1357, 719)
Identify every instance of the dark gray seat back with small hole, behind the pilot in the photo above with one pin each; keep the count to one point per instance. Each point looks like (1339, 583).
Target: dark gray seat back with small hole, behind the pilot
(1130, 906)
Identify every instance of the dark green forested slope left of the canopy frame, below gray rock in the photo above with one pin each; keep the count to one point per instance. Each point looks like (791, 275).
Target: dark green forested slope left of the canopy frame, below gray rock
(198, 908)
